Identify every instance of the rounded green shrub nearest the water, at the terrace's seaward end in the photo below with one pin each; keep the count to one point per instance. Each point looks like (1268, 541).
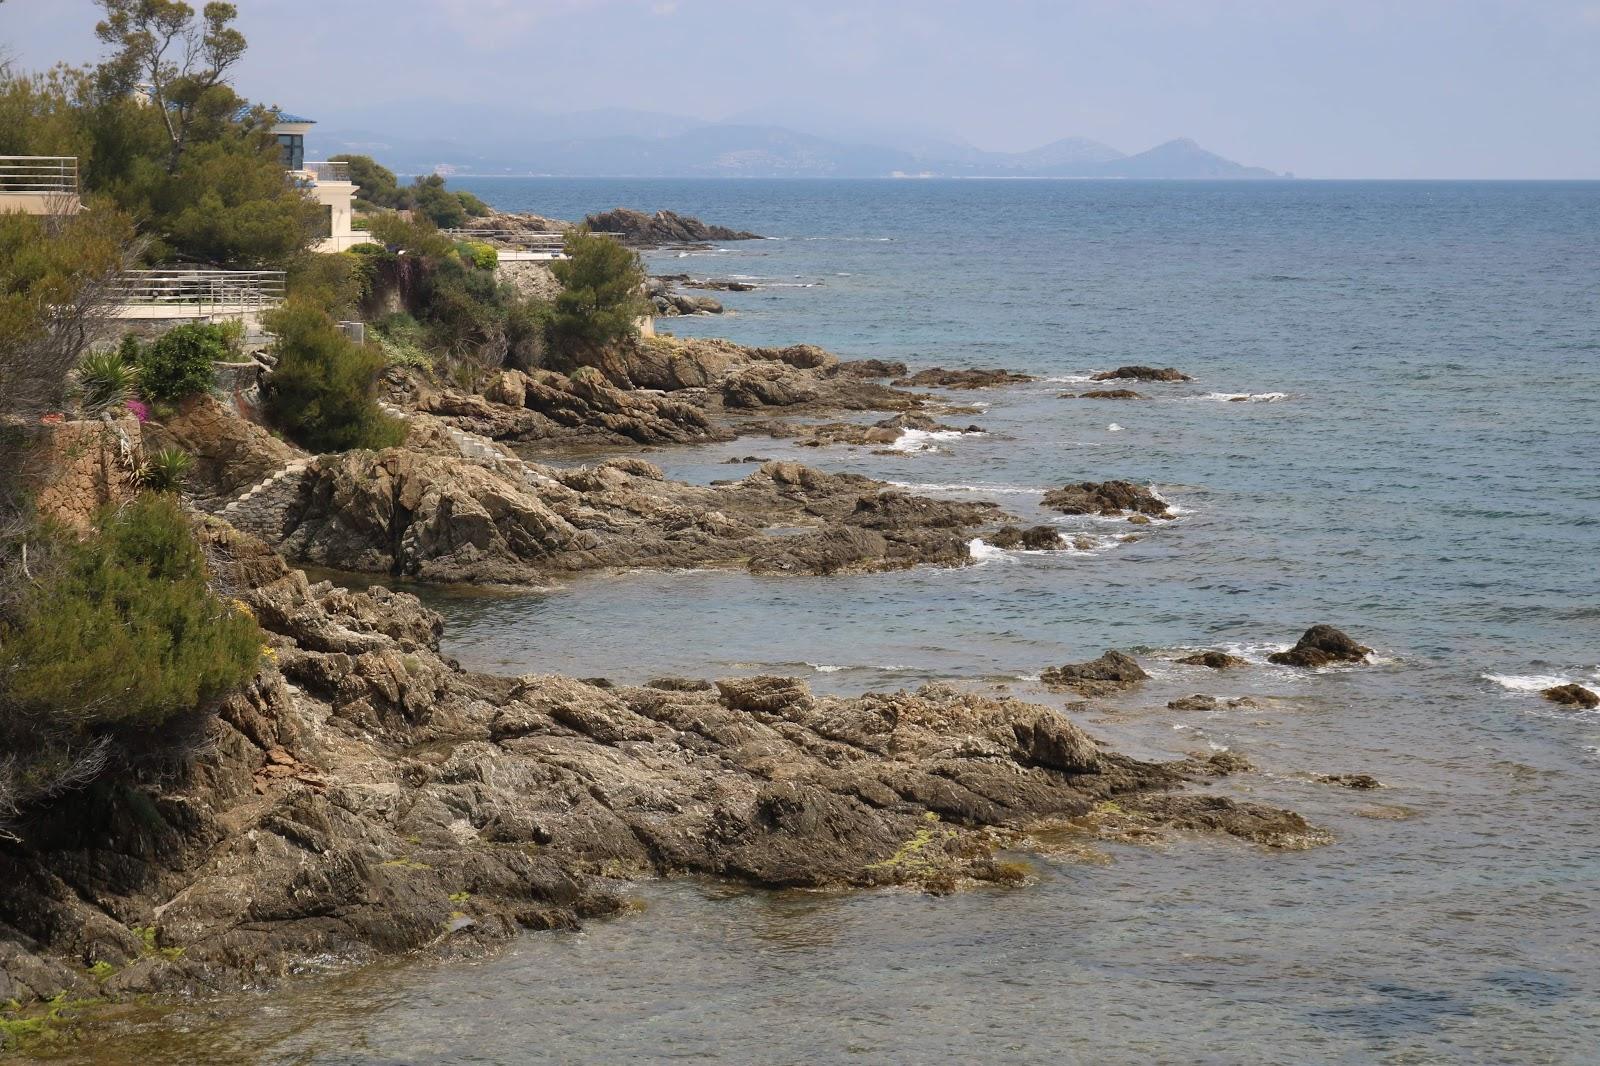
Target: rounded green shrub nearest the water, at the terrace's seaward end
(602, 294)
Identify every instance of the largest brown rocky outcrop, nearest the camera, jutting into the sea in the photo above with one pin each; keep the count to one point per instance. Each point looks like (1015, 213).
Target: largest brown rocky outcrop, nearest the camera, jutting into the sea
(364, 798)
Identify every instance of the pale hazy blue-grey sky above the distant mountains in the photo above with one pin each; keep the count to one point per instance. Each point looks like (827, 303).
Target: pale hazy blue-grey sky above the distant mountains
(1335, 89)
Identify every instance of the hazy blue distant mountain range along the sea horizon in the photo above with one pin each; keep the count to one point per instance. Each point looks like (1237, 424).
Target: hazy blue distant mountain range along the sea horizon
(647, 145)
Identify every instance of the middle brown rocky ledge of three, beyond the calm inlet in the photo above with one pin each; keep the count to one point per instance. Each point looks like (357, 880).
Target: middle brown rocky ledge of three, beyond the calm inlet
(446, 518)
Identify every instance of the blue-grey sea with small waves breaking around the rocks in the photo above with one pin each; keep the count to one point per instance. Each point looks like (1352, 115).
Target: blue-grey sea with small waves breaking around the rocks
(1393, 427)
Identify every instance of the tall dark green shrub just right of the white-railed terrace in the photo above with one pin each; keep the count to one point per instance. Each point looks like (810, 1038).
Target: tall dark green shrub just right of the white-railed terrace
(322, 391)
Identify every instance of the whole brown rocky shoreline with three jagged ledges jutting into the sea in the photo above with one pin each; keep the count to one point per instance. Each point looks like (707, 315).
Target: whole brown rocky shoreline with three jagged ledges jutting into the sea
(366, 796)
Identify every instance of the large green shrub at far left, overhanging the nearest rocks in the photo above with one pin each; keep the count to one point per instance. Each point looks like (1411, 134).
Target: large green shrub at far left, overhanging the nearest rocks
(127, 631)
